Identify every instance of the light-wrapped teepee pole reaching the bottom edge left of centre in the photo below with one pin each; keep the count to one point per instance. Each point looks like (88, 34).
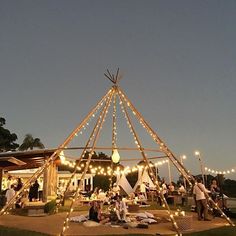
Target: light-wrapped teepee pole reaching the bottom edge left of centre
(98, 129)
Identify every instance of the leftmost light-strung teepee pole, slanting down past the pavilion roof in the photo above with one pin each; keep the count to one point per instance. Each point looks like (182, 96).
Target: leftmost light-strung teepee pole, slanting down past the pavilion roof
(51, 158)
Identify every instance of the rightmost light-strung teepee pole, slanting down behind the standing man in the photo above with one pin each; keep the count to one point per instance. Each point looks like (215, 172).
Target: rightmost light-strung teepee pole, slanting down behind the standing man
(170, 155)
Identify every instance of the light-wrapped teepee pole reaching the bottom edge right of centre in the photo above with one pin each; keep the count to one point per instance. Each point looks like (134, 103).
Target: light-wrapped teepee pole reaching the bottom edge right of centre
(139, 145)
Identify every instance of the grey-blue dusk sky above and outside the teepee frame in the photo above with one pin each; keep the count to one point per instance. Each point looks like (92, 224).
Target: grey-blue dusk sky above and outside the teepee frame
(177, 58)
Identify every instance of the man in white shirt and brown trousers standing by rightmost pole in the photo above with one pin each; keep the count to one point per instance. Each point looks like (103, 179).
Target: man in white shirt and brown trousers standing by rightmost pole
(200, 191)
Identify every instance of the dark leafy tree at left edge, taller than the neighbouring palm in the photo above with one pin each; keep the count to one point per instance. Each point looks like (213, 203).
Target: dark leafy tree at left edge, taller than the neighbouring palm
(7, 139)
